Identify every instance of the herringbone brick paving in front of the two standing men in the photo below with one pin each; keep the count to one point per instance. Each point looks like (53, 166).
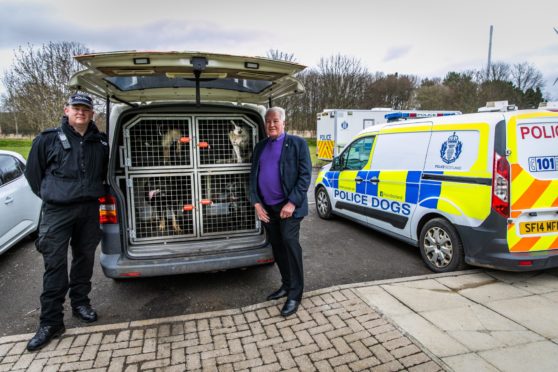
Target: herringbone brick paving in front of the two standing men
(333, 330)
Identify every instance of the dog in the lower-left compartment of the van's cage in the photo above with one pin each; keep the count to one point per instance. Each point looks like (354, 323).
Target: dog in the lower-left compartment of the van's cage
(160, 197)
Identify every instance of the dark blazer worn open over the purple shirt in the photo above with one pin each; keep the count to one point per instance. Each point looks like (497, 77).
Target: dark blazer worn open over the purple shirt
(296, 172)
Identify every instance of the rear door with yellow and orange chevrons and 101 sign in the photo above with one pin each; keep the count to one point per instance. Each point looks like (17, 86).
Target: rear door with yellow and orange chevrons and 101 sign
(532, 140)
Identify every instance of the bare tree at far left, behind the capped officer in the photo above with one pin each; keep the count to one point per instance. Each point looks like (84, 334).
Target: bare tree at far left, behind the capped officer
(37, 83)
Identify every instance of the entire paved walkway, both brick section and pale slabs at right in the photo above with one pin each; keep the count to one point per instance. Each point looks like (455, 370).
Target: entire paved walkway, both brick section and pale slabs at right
(465, 321)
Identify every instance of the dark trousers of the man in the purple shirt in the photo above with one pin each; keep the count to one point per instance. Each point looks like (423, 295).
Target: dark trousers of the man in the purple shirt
(284, 238)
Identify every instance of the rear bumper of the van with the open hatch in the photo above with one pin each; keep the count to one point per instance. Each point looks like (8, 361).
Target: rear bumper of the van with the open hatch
(116, 266)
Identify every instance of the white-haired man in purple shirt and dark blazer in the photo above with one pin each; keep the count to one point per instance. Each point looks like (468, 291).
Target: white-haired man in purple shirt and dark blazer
(279, 182)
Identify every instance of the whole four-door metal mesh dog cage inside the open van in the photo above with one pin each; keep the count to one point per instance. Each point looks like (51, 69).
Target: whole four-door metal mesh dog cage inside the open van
(187, 177)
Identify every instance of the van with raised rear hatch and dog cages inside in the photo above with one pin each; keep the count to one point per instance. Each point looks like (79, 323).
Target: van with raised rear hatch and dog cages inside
(182, 126)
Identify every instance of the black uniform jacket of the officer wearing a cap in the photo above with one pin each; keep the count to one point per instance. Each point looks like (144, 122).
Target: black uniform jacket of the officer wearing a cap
(65, 176)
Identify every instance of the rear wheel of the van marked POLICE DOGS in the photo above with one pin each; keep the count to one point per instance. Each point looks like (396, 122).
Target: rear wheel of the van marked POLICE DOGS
(440, 246)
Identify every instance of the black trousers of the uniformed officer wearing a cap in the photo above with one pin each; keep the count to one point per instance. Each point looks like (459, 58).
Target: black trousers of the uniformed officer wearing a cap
(77, 225)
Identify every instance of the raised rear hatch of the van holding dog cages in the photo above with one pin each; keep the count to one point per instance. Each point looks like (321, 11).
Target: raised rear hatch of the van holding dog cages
(135, 76)
